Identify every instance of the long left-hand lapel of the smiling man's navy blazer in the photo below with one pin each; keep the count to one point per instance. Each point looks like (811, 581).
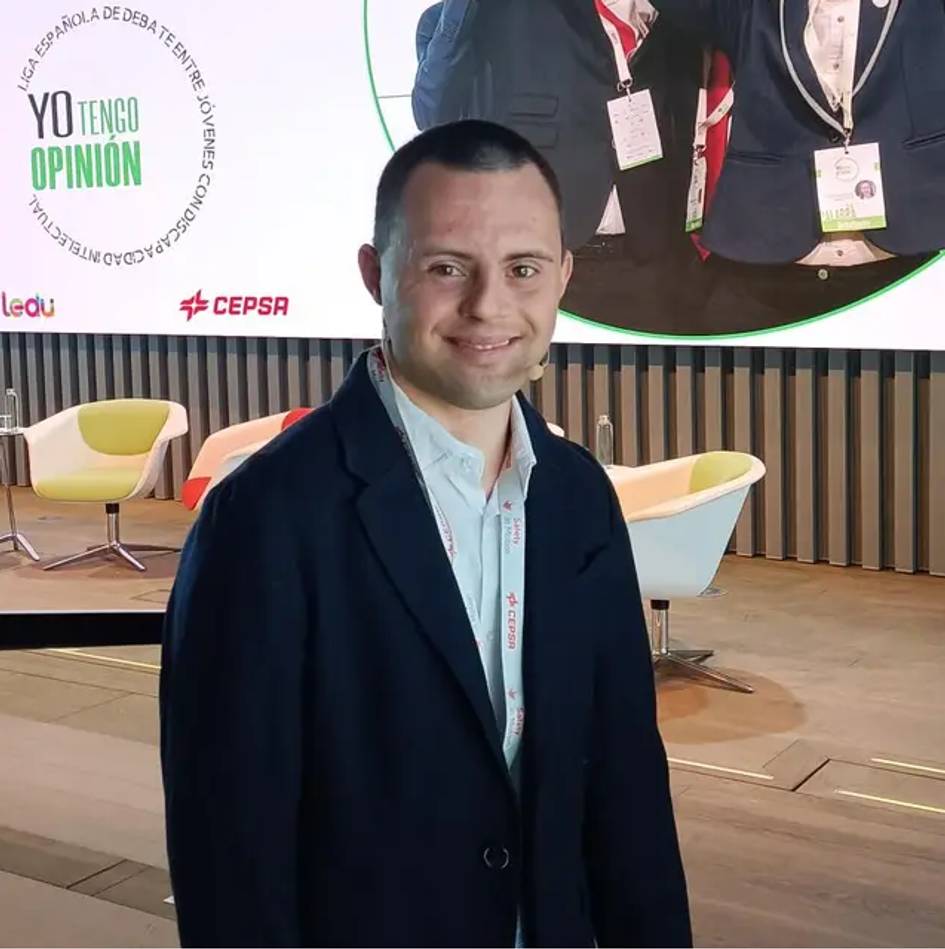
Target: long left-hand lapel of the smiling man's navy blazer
(404, 536)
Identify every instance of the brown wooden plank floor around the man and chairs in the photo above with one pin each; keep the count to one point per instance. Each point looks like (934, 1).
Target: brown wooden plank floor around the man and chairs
(811, 813)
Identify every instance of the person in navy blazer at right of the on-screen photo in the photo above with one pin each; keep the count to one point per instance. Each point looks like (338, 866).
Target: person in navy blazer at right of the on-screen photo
(817, 73)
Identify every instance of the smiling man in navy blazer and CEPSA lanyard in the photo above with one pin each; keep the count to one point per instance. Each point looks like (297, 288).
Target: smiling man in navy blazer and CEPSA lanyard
(406, 690)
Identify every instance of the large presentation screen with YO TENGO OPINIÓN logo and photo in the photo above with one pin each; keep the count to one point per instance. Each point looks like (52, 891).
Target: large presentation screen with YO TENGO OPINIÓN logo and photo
(208, 168)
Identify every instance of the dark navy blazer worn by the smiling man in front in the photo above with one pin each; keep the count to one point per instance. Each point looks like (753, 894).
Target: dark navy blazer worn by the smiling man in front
(332, 767)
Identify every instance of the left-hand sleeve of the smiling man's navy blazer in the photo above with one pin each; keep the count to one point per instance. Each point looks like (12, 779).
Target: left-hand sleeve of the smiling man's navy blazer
(230, 704)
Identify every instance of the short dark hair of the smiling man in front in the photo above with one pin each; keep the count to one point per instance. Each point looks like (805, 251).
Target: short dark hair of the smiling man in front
(468, 145)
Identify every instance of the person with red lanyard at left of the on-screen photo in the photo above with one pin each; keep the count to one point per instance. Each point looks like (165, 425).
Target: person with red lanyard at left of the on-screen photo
(547, 69)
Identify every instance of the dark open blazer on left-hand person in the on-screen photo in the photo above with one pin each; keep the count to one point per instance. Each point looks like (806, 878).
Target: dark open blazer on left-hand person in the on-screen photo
(545, 68)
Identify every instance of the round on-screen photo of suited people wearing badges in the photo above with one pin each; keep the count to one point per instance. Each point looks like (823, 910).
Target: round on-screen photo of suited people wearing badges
(722, 232)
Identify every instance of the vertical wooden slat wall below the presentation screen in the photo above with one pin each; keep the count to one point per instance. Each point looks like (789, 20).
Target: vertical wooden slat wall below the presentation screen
(854, 442)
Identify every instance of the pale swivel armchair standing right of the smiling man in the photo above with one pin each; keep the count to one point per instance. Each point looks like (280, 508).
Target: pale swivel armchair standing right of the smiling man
(680, 515)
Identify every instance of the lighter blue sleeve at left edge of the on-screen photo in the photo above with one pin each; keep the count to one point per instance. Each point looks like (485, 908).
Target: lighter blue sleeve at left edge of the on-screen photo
(442, 50)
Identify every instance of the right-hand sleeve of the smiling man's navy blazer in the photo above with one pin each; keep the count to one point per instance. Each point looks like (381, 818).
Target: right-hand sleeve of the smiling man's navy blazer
(635, 874)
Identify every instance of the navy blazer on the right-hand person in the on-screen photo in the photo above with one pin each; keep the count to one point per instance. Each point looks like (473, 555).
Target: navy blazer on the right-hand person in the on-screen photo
(765, 207)
